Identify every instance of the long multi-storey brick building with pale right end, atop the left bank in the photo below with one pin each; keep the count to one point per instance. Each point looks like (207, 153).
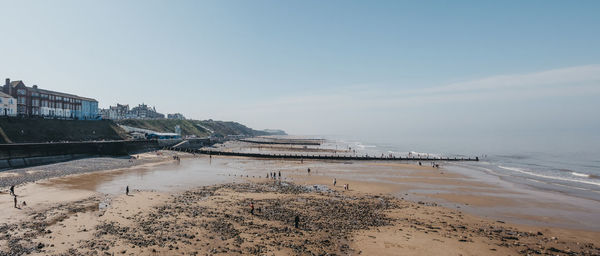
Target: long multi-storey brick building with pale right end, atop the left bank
(36, 102)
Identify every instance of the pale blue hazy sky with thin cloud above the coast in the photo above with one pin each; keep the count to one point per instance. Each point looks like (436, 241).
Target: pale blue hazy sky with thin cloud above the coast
(462, 75)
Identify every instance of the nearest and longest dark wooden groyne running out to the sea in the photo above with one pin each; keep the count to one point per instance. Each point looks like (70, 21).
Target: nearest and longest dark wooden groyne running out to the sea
(323, 157)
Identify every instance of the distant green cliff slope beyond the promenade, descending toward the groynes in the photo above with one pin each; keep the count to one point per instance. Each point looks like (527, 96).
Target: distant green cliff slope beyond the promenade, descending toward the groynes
(193, 127)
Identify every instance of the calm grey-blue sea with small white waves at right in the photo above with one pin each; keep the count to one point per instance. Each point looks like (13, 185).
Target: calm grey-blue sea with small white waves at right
(574, 172)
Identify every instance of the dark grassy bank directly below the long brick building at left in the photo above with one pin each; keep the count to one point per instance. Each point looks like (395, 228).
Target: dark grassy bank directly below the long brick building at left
(43, 130)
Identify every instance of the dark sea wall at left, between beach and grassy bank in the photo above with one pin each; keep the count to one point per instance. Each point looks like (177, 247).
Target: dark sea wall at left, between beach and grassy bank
(30, 154)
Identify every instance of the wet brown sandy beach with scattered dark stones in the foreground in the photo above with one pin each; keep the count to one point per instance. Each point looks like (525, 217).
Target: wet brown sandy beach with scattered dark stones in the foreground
(201, 206)
